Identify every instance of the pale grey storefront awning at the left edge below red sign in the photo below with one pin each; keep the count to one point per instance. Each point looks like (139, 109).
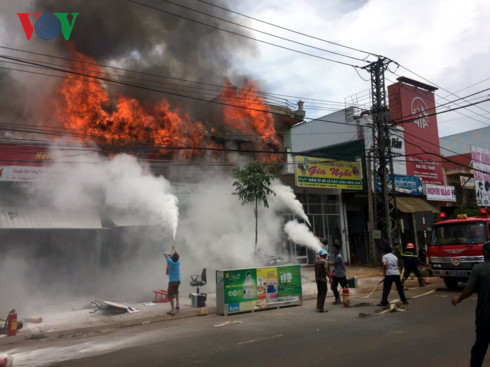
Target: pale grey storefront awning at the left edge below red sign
(24, 217)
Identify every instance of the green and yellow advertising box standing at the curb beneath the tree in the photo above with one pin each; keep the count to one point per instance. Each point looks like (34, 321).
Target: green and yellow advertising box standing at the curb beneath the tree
(241, 290)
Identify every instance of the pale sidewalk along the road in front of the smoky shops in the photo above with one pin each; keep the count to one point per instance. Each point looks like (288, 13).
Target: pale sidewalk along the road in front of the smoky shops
(82, 322)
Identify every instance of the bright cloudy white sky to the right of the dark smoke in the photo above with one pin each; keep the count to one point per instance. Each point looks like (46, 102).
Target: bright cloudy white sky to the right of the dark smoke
(441, 43)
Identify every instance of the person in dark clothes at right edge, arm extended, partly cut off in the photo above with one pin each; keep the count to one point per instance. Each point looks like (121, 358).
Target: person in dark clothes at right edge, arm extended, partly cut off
(479, 283)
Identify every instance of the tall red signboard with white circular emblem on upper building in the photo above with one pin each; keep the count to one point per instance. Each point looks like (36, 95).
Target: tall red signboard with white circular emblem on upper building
(412, 106)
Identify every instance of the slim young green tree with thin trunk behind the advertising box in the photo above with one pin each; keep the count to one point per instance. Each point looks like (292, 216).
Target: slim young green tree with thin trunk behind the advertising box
(252, 184)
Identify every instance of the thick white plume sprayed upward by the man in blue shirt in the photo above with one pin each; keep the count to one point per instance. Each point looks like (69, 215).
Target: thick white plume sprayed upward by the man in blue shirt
(121, 186)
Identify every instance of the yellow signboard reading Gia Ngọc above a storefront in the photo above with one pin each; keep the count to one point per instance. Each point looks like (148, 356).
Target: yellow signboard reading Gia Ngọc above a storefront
(328, 173)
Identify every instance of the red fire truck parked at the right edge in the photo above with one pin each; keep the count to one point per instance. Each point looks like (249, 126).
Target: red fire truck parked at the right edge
(456, 246)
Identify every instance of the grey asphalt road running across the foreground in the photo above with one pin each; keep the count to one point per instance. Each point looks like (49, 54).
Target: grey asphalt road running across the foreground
(431, 332)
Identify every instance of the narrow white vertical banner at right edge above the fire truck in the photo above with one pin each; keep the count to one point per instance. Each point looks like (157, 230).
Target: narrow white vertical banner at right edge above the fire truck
(481, 172)
